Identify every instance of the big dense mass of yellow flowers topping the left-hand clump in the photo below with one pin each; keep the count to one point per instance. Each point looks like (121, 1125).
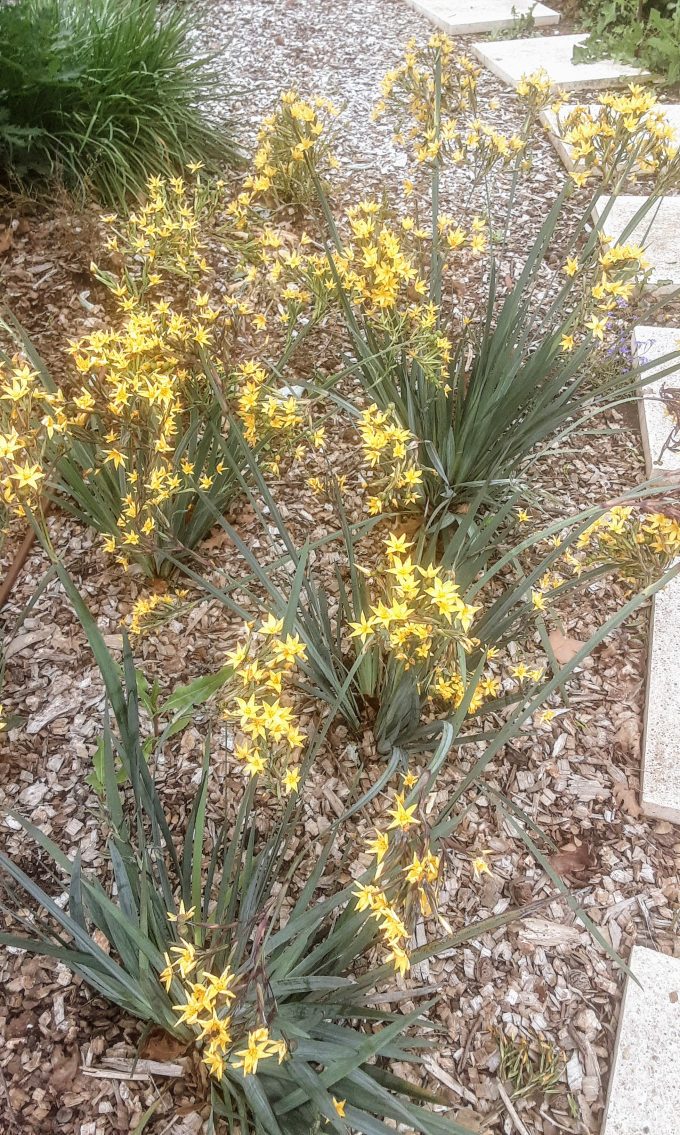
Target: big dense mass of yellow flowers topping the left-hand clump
(138, 391)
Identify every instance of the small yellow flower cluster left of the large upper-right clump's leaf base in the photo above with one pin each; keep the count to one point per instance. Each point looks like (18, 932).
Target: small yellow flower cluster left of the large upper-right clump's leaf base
(392, 456)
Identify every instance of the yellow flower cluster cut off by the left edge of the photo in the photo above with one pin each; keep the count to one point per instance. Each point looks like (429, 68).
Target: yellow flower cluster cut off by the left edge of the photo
(32, 422)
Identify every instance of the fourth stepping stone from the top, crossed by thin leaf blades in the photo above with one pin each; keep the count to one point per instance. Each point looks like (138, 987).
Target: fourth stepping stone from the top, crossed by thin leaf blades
(658, 233)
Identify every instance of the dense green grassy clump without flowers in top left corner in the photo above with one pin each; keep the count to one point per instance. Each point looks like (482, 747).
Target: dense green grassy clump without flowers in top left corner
(100, 94)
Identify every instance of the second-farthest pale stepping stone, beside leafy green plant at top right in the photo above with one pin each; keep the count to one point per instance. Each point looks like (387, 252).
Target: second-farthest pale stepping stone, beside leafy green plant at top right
(511, 60)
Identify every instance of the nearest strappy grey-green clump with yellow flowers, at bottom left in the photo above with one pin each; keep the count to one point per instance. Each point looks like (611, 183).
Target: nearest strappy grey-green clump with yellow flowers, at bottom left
(219, 937)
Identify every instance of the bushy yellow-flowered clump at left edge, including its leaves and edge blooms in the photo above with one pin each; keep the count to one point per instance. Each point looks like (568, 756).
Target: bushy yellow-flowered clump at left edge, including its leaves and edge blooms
(133, 449)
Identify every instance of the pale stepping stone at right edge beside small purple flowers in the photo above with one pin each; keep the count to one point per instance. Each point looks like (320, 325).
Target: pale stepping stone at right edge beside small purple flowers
(651, 343)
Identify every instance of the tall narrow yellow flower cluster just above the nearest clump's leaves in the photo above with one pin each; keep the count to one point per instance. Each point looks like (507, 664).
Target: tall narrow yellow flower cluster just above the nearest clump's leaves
(268, 737)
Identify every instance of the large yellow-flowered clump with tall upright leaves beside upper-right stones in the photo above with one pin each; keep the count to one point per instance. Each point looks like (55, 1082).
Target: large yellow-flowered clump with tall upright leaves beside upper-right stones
(486, 388)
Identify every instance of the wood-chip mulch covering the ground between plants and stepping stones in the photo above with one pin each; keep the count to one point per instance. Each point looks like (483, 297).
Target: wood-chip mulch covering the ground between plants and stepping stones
(578, 777)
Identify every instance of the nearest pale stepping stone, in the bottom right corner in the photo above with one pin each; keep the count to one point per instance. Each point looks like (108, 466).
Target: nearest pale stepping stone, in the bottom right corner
(644, 1096)
